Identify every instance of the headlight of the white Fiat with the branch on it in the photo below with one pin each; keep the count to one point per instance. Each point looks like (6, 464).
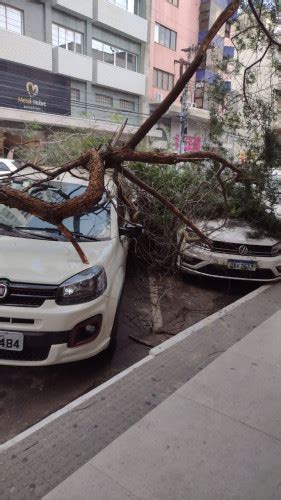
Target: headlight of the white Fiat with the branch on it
(83, 287)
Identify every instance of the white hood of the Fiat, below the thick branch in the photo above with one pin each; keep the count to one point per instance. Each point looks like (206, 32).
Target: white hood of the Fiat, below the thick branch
(48, 262)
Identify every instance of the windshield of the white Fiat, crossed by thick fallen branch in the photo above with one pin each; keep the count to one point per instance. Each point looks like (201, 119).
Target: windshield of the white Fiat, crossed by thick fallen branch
(93, 224)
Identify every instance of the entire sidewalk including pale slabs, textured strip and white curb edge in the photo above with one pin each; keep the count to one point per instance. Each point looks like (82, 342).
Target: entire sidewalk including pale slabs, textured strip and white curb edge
(163, 430)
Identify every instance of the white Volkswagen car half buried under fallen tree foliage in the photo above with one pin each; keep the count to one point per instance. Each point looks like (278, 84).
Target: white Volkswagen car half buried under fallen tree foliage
(236, 253)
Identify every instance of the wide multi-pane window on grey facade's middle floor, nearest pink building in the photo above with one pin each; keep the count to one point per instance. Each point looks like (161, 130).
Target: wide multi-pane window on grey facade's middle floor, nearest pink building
(113, 55)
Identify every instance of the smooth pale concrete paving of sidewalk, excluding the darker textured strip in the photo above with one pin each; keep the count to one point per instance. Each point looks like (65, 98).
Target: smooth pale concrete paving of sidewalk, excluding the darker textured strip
(217, 437)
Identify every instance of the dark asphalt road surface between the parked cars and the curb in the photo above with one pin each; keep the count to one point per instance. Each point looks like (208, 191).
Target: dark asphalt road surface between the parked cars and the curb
(29, 394)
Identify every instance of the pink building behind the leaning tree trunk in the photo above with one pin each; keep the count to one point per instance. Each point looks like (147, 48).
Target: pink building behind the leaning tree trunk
(174, 26)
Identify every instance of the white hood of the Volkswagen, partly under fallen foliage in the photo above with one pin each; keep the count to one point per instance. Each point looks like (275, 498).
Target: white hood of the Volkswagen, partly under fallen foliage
(235, 231)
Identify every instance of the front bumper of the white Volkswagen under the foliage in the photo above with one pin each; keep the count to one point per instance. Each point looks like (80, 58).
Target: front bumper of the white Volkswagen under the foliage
(215, 265)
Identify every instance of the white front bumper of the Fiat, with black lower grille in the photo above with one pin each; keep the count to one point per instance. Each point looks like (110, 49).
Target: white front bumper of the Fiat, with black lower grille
(46, 339)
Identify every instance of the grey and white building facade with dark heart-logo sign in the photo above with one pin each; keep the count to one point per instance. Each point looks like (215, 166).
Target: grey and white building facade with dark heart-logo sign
(73, 63)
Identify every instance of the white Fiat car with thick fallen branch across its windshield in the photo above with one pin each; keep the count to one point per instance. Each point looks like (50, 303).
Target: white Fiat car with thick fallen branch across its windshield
(53, 308)
